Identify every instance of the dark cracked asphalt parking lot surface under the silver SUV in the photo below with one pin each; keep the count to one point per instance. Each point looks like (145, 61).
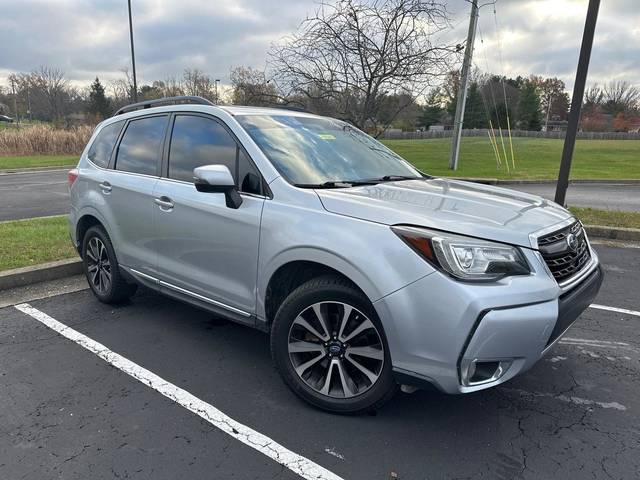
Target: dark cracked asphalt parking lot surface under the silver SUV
(67, 413)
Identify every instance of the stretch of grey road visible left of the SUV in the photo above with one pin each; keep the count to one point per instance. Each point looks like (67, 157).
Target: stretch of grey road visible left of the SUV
(26, 195)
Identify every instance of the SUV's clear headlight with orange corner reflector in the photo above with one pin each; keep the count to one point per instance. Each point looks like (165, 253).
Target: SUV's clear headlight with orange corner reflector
(465, 258)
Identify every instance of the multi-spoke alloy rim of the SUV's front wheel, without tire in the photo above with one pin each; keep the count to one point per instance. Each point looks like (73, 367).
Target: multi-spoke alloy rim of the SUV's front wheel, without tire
(336, 349)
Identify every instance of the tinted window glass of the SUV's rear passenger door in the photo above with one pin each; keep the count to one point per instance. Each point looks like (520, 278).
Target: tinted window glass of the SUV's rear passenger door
(140, 147)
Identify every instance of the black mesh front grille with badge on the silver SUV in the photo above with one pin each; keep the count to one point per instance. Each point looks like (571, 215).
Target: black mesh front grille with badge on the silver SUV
(562, 260)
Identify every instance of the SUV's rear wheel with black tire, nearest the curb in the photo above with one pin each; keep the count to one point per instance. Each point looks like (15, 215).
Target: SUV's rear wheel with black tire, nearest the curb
(101, 268)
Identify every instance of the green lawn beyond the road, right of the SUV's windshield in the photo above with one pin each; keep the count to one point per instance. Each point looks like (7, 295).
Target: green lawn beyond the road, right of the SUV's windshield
(535, 158)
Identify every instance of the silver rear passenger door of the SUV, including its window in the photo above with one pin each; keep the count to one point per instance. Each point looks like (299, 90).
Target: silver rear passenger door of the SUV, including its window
(128, 191)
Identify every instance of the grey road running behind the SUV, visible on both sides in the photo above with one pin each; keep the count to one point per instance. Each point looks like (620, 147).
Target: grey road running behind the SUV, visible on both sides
(28, 195)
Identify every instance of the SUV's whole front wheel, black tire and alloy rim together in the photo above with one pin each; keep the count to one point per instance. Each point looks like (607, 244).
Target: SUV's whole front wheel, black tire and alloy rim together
(335, 380)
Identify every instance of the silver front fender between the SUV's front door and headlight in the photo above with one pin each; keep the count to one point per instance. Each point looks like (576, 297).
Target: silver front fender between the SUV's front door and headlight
(298, 228)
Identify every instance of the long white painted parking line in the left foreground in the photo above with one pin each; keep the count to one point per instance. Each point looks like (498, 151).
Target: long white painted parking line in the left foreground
(263, 444)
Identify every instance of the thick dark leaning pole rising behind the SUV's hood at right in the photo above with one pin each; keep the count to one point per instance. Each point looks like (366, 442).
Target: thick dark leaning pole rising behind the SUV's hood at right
(576, 101)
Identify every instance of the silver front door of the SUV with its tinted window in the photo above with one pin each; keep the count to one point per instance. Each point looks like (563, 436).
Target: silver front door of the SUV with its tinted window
(205, 249)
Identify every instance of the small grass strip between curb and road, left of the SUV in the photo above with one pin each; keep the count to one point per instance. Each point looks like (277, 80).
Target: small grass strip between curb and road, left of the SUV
(33, 241)
